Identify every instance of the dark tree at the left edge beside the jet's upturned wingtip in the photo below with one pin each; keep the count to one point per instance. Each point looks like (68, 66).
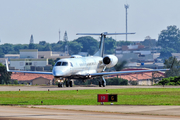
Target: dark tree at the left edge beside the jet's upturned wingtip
(4, 75)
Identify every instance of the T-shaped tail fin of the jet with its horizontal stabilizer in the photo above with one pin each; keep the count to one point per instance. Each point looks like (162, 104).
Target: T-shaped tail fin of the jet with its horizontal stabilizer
(100, 52)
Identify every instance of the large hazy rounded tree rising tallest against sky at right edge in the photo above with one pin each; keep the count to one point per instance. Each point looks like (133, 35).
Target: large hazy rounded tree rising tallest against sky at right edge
(170, 38)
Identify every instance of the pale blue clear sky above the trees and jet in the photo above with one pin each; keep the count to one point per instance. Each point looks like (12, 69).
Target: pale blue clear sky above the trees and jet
(19, 19)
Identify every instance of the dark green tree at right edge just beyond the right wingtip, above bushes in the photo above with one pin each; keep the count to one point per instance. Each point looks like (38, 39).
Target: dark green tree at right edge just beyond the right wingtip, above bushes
(174, 66)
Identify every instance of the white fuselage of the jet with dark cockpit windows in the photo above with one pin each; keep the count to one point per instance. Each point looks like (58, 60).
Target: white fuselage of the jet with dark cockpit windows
(76, 67)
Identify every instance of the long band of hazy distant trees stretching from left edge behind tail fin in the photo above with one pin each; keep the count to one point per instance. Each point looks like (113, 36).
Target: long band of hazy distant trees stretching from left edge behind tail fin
(82, 44)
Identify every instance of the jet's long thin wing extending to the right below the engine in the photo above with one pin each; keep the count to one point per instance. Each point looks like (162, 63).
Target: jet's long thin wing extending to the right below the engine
(126, 72)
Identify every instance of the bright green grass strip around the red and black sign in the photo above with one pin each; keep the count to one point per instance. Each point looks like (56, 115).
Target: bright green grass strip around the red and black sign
(131, 96)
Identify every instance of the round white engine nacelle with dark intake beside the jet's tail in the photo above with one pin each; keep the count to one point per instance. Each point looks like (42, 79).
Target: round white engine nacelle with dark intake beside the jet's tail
(110, 60)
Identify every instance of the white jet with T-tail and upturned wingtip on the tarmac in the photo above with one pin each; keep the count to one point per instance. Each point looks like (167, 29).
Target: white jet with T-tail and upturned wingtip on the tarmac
(82, 68)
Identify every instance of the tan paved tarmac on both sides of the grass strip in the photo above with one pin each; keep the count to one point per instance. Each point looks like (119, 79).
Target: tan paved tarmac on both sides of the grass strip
(83, 112)
